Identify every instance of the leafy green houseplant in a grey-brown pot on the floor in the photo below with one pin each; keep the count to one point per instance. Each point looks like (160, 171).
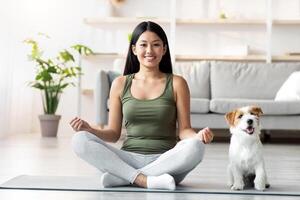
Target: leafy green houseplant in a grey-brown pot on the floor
(53, 75)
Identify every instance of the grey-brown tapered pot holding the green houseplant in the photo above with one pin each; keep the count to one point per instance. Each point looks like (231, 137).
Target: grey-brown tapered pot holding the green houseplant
(49, 125)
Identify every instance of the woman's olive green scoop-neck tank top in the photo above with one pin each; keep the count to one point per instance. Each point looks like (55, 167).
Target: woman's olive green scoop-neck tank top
(150, 124)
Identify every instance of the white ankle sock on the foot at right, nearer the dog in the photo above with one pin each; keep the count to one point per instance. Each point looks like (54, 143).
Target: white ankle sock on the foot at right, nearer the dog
(164, 181)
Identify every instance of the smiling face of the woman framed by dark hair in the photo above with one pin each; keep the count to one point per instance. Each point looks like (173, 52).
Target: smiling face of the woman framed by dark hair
(149, 49)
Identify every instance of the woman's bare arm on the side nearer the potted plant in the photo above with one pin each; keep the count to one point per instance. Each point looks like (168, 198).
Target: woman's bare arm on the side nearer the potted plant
(113, 132)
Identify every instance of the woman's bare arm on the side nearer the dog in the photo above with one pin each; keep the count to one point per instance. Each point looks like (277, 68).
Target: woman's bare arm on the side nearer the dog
(182, 98)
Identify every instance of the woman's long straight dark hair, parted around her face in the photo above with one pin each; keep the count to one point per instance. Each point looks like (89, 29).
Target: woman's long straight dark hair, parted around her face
(132, 64)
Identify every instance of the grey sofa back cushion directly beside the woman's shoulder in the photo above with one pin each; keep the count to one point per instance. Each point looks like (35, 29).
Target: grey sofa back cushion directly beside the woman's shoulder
(197, 76)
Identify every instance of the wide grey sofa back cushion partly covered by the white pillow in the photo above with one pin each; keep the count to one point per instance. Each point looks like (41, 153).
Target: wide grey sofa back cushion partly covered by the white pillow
(249, 80)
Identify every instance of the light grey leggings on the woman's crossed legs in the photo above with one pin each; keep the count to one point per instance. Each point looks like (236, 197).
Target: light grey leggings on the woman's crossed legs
(178, 161)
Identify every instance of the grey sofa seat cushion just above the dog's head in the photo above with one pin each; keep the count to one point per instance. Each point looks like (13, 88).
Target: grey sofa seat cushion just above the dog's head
(269, 107)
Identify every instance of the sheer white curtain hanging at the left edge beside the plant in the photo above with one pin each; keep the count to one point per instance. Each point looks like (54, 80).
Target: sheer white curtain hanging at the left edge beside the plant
(16, 98)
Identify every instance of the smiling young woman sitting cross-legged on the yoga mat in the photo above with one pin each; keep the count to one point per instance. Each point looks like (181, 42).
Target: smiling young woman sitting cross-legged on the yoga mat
(151, 100)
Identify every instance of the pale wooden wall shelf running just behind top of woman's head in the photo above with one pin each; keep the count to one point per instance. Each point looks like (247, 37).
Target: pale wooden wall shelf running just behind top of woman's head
(122, 20)
